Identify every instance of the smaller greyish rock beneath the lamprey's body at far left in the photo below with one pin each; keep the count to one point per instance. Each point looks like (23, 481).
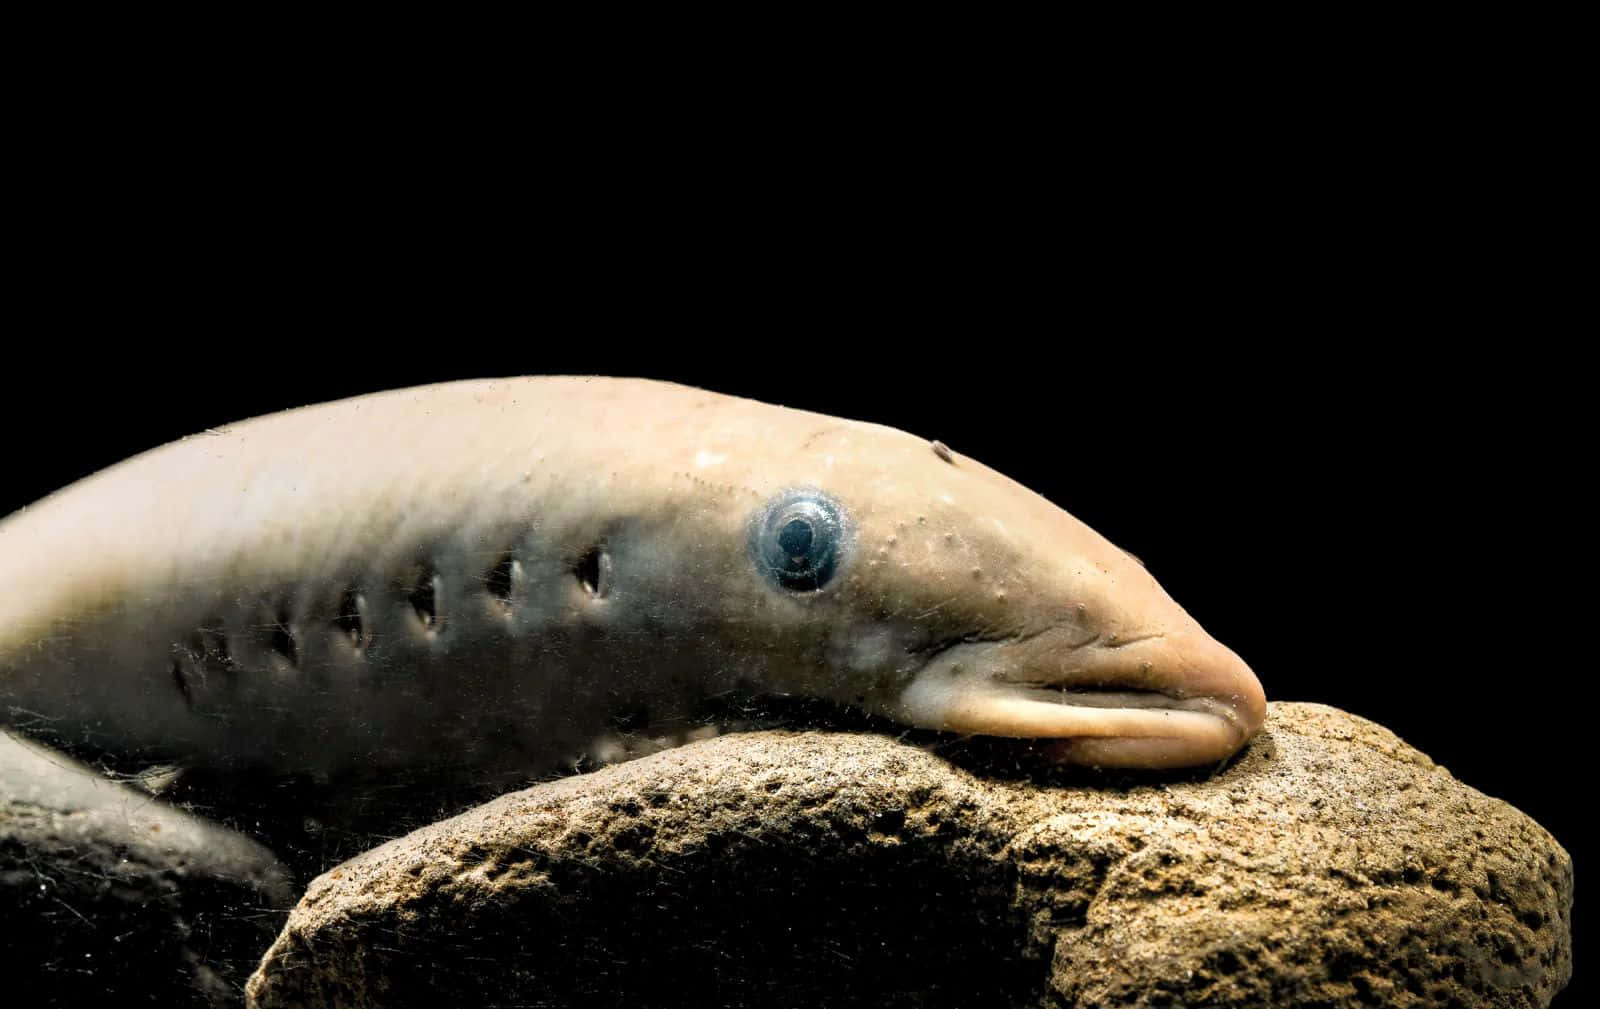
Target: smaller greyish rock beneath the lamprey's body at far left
(113, 898)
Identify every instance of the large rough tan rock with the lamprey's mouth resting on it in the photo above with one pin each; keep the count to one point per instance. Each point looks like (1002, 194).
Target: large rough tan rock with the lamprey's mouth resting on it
(1330, 866)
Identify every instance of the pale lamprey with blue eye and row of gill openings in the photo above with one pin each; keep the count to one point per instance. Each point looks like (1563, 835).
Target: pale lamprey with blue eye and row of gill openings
(505, 572)
